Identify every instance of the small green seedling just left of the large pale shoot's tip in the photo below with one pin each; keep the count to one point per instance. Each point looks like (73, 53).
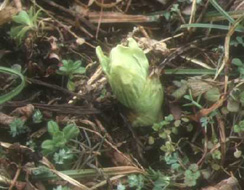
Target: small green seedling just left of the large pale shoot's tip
(70, 68)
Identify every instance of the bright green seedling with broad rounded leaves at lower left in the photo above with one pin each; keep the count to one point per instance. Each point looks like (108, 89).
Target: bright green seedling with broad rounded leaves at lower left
(59, 138)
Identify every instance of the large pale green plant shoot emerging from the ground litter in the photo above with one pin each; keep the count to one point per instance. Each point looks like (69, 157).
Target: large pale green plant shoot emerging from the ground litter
(127, 70)
